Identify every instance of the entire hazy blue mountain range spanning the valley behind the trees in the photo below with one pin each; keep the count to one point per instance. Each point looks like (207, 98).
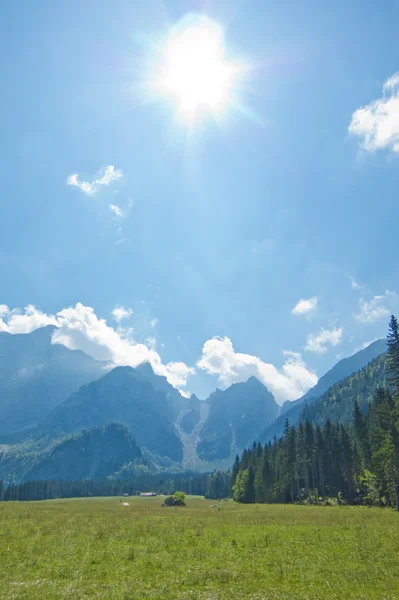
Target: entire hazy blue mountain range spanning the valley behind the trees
(62, 410)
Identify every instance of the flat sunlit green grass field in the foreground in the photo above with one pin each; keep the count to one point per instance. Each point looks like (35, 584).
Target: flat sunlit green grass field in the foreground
(98, 548)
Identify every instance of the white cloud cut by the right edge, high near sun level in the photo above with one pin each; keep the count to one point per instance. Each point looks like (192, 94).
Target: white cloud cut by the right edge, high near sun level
(378, 122)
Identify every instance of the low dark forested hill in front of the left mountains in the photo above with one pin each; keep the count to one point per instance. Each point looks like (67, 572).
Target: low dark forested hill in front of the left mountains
(93, 453)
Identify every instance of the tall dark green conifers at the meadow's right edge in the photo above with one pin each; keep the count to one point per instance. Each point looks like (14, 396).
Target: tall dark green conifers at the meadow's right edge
(358, 463)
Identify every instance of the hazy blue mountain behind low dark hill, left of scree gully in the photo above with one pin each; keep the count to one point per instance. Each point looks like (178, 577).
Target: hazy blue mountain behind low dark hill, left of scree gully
(126, 396)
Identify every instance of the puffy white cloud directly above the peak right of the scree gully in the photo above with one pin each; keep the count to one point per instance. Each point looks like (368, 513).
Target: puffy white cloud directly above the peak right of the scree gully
(290, 382)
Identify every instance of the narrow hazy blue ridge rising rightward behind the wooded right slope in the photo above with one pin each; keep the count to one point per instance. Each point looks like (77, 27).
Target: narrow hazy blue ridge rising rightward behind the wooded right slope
(344, 368)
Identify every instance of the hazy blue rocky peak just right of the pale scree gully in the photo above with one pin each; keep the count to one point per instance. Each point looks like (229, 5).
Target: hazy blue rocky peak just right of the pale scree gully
(236, 417)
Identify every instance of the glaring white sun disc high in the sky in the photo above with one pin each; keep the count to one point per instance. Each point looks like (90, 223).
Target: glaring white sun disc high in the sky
(194, 71)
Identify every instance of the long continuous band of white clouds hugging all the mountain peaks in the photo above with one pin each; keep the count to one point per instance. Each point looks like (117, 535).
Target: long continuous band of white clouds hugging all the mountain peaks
(80, 328)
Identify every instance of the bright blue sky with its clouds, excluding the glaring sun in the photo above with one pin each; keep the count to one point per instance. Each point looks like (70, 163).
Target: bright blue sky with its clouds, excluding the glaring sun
(219, 231)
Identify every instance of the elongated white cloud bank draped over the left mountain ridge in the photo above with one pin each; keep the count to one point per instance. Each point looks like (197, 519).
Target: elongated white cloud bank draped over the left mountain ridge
(79, 328)
